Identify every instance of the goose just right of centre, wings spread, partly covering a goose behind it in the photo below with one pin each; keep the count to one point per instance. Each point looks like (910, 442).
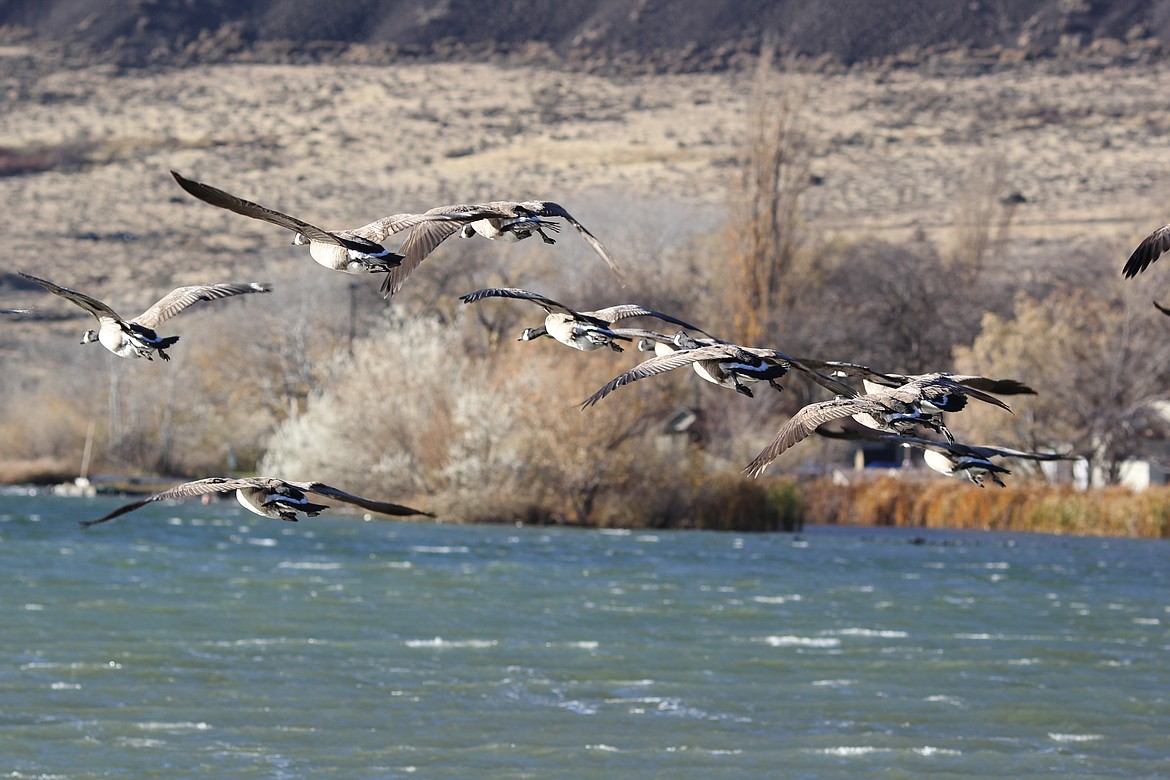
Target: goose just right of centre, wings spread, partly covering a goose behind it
(727, 365)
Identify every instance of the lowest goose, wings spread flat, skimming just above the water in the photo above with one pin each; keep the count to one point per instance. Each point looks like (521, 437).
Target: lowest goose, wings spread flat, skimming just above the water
(266, 496)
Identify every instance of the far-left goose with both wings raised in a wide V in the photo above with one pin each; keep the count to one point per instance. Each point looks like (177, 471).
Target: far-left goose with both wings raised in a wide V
(136, 339)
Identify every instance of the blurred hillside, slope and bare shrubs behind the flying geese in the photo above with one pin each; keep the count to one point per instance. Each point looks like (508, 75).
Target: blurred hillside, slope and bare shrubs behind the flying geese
(944, 189)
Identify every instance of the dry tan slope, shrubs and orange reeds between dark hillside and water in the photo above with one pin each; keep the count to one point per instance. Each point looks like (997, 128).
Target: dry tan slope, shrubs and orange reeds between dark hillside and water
(865, 217)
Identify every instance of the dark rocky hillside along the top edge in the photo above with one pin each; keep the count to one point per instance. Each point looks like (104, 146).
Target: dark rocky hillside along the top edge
(597, 34)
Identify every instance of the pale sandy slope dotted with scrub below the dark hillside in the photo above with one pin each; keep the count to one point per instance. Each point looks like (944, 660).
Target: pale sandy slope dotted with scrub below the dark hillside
(345, 144)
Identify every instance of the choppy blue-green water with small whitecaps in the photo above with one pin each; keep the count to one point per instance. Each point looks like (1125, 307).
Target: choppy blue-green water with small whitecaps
(201, 641)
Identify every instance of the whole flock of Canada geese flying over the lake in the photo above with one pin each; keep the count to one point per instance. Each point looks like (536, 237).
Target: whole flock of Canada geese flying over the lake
(891, 408)
